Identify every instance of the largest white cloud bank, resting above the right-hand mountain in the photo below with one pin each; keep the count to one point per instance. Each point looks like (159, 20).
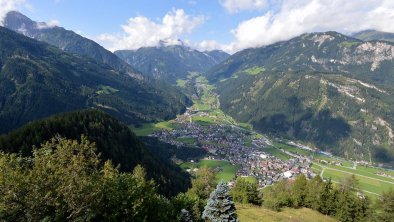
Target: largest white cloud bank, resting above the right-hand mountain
(296, 17)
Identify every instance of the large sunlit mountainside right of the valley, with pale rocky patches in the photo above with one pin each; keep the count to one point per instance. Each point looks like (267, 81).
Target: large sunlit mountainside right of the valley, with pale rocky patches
(330, 90)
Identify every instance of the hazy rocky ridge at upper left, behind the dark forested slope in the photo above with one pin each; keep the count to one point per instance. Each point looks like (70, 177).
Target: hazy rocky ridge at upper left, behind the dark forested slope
(66, 40)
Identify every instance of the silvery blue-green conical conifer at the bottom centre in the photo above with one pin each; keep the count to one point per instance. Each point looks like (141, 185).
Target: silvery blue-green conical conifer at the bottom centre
(220, 206)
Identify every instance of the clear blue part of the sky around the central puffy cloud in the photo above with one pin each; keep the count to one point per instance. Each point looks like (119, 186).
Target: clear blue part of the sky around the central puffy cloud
(94, 17)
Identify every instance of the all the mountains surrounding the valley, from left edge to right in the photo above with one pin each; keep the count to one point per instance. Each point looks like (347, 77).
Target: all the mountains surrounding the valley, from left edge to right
(327, 89)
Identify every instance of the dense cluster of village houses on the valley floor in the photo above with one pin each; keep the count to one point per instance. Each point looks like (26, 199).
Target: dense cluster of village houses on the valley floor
(236, 145)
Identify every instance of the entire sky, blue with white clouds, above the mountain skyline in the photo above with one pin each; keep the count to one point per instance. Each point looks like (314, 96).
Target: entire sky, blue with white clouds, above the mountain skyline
(230, 25)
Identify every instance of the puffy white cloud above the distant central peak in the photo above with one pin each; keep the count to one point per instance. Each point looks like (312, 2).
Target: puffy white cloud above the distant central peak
(141, 31)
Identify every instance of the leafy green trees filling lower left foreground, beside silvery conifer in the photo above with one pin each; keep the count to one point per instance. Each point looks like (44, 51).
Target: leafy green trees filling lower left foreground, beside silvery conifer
(64, 181)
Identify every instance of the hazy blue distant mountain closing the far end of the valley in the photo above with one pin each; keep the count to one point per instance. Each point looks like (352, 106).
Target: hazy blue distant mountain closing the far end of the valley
(171, 62)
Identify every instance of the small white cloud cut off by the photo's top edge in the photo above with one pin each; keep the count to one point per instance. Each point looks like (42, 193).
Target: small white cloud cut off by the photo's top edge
(234, 6)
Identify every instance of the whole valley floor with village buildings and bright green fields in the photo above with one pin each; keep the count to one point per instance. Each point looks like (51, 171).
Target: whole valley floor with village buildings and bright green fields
(234, 149)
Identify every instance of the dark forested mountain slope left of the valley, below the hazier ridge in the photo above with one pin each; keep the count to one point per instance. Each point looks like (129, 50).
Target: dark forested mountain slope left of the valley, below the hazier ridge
(38, 80)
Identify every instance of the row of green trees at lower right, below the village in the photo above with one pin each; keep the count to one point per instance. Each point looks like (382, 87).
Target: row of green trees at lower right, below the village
(343, 201)
